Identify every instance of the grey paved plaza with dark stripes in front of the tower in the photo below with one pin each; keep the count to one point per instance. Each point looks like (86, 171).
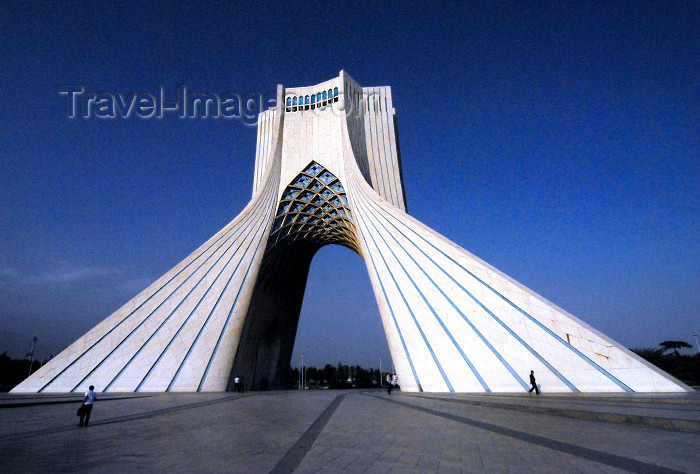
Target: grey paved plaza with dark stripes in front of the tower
(351, 431)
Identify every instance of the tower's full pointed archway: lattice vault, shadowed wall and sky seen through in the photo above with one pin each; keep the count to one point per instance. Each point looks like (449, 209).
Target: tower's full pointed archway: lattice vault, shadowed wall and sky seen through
(313, 214)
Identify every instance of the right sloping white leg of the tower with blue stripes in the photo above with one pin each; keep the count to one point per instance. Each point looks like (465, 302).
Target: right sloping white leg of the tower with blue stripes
(456, 324)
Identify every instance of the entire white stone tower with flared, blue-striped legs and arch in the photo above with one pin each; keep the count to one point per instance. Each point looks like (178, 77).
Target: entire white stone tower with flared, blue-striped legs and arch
(328, 171)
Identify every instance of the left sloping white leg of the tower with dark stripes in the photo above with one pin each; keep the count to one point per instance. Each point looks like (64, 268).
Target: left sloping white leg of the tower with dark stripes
(182, 332)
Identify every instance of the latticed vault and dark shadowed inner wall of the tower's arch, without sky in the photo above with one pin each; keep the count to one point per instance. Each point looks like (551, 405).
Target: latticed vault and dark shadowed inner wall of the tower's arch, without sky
(313, 212)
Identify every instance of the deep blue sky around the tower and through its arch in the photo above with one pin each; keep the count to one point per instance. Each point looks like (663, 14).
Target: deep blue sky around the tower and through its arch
(558, 143)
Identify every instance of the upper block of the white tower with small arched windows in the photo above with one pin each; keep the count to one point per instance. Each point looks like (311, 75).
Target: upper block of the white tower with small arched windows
(313, 129)
